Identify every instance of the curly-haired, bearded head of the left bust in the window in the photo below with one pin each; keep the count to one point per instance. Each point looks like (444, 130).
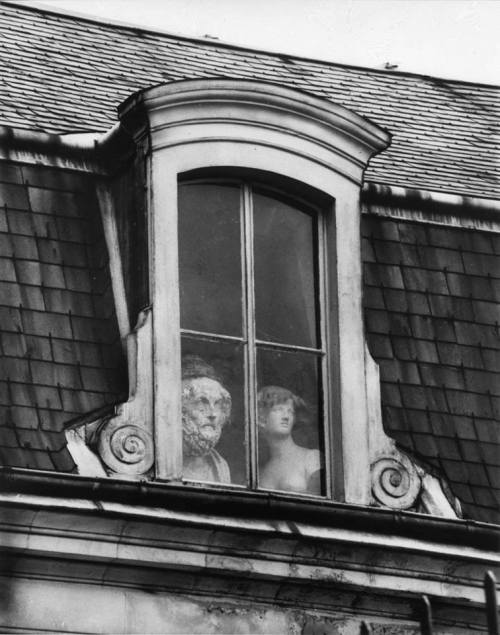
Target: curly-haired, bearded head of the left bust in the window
(206, 406)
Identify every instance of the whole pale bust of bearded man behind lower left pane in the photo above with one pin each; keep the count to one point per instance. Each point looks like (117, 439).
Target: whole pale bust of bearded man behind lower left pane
(206, 408)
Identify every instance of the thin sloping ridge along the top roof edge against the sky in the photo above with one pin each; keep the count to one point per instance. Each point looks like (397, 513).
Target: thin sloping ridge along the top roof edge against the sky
(110, 23)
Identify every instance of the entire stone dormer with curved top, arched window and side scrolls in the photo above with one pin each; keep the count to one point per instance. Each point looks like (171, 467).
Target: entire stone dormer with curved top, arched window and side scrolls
(248, 366)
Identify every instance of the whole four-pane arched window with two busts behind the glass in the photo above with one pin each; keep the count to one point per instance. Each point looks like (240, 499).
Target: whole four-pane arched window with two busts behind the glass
(251, 281)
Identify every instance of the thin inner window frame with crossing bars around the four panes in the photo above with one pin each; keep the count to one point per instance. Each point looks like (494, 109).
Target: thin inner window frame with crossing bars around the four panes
(318, 206)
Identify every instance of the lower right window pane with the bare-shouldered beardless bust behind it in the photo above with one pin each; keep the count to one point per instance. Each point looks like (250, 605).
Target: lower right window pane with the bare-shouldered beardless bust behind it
(291, 448)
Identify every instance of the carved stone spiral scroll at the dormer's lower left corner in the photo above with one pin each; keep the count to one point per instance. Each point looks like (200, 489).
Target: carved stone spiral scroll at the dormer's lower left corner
(126, 448)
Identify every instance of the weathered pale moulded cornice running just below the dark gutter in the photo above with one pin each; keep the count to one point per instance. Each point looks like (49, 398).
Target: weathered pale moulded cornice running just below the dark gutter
(107, 534)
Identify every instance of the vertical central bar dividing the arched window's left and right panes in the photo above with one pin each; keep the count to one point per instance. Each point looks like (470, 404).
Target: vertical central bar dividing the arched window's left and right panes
(250, 350)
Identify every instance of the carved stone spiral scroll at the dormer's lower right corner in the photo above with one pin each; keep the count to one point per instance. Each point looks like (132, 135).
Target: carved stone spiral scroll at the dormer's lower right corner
(395, 482)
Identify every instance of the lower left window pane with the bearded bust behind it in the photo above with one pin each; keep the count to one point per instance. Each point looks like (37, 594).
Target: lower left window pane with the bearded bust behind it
(213, 411)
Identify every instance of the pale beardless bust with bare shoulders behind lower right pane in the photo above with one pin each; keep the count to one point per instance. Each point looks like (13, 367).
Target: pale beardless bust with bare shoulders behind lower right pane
(291, 467)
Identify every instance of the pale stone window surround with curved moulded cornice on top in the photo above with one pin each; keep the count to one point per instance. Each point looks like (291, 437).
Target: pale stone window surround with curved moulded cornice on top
(222, 125)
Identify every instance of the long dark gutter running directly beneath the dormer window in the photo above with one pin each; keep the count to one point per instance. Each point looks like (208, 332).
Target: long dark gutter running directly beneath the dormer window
(255, 505)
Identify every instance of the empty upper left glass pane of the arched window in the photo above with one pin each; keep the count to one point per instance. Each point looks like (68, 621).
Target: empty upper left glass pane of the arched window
(210, 258)
